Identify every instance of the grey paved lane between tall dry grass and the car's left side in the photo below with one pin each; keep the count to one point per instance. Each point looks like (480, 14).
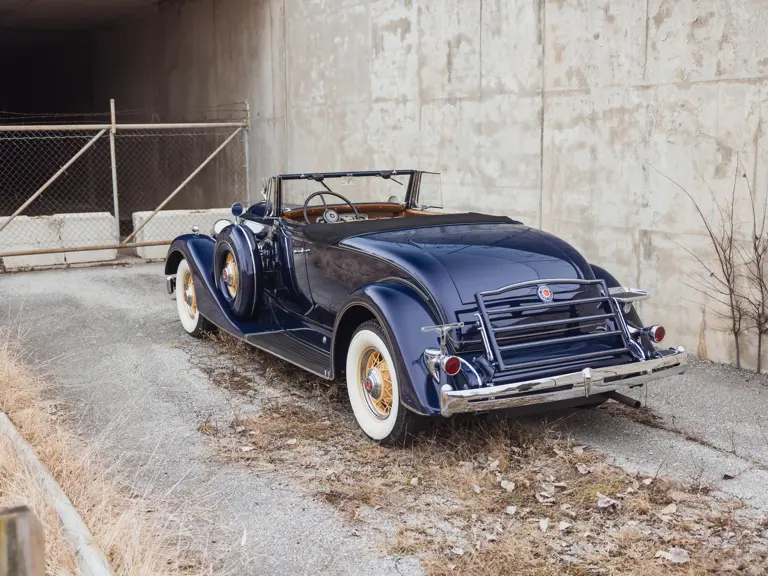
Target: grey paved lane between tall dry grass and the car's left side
(110, 340)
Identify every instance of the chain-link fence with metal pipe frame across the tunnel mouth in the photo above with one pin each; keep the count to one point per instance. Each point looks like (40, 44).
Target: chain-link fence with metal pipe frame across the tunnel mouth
(77, 193)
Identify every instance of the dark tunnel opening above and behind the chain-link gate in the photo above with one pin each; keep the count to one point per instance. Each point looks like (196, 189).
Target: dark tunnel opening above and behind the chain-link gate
(64, 74)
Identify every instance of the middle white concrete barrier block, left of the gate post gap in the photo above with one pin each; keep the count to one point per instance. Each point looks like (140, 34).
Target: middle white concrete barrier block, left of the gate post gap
(87, 229)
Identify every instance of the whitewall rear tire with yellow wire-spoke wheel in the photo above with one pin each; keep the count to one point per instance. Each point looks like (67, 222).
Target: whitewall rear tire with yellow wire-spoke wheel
(373, 386)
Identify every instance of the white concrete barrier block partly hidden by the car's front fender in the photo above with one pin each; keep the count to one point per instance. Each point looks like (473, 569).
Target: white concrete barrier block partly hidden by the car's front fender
(168, 224)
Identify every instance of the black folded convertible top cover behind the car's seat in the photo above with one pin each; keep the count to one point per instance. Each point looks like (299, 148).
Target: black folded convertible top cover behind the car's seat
(334, 233)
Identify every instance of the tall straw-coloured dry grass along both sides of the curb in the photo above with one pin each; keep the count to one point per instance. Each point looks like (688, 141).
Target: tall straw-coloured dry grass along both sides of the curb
(136, 536)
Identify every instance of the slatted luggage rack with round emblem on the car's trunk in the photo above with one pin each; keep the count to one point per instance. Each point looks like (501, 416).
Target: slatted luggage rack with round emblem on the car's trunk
(494, 308)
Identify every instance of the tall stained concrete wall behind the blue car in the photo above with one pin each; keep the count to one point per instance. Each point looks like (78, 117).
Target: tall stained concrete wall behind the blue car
(564, 113)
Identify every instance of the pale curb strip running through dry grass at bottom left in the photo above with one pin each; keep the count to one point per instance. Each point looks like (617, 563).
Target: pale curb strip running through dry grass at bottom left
(90, 559)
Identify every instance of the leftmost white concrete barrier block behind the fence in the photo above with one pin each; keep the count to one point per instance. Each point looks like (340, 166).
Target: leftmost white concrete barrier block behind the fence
(30, 233)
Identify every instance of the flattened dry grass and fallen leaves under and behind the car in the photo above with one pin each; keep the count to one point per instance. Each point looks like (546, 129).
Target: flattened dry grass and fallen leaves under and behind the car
(445, 499)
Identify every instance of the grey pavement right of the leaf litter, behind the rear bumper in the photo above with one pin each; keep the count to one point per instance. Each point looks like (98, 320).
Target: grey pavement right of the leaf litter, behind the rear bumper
(712, 430)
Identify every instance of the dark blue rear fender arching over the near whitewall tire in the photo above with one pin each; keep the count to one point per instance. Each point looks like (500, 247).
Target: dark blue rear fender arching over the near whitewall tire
(402, 312)
